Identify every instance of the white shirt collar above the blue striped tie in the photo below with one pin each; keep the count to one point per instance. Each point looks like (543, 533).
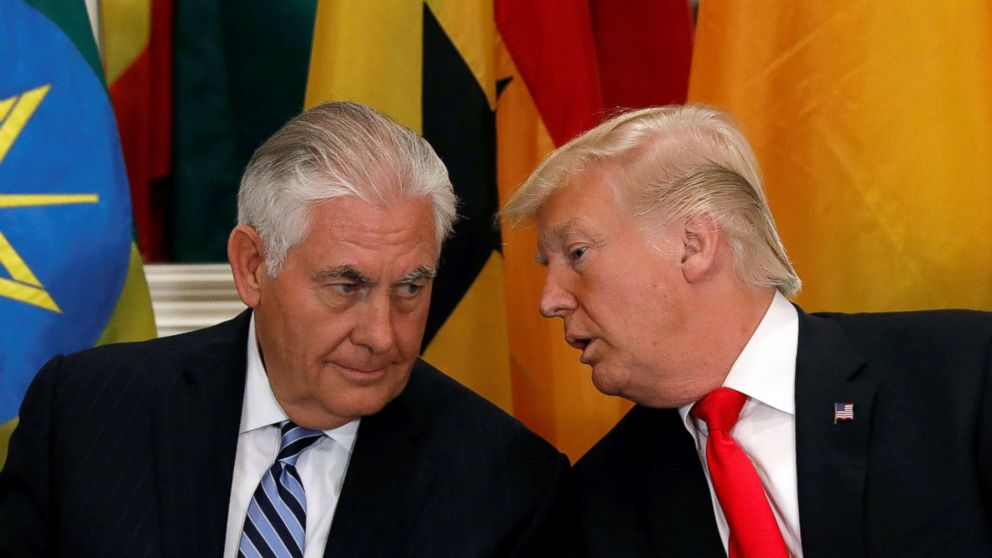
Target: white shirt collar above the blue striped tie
(260, 407)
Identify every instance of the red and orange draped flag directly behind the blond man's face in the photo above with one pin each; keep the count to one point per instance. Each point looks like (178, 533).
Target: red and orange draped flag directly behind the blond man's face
(570, 66)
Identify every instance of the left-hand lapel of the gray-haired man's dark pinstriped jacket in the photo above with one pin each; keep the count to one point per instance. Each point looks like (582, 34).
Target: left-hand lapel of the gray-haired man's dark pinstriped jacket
(195, 431)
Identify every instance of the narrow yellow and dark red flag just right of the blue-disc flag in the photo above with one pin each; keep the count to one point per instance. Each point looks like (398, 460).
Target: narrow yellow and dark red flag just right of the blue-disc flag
(137, 55)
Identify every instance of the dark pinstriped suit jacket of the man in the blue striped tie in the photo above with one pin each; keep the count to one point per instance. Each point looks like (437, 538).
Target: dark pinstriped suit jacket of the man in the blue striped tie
(128, 450)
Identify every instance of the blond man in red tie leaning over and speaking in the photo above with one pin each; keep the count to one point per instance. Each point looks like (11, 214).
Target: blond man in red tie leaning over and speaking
(759, 430)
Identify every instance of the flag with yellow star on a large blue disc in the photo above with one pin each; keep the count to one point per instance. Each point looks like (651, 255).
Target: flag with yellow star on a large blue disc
(70, 276)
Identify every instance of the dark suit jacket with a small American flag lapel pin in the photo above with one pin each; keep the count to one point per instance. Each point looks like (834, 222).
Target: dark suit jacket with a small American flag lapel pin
(910, 476)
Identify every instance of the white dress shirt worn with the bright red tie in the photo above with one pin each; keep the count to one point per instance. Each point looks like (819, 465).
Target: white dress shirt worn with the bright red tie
(765, 371)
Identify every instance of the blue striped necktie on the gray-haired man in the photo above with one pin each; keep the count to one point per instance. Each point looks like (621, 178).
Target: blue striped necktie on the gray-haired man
(277, 515)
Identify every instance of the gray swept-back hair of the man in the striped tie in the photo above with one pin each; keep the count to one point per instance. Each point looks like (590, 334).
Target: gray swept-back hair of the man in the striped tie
(334, 150)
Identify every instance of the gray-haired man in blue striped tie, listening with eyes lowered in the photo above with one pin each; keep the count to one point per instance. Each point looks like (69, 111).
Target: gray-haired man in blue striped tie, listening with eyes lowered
(307, 426)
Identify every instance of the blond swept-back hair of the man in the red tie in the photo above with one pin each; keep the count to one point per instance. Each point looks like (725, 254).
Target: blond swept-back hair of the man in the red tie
(676, 161)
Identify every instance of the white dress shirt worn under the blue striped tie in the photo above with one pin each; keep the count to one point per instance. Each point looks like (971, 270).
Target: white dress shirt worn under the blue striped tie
(322, 467)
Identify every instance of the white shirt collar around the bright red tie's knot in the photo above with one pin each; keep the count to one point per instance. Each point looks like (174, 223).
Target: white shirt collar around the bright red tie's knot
(766, 368)
